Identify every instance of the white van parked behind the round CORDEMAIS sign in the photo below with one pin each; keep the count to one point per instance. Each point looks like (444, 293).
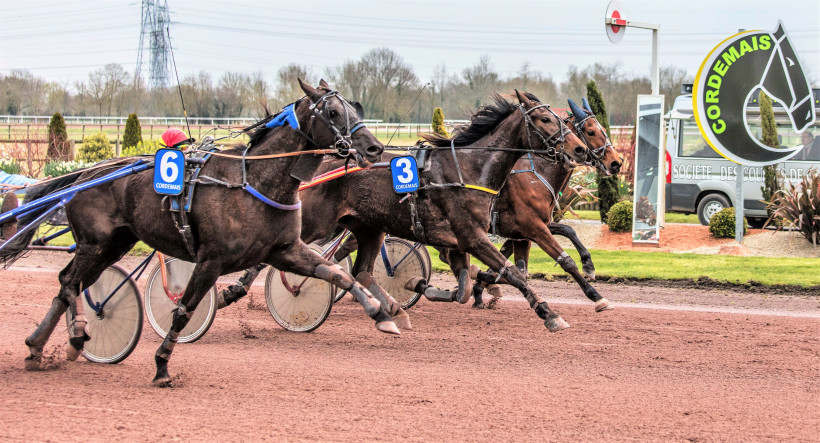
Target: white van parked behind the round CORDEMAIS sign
(699, 180)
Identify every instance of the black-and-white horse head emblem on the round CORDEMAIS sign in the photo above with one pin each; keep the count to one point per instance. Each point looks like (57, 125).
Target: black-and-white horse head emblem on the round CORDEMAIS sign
(784, 80)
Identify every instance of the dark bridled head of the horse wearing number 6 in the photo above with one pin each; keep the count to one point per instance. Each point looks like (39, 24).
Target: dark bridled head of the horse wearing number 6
(341, 126)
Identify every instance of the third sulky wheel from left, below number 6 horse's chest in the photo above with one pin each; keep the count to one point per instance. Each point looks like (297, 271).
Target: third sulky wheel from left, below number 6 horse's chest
(297, 303)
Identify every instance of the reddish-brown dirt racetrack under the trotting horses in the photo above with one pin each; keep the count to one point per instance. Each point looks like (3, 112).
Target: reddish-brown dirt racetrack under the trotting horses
(634, 373)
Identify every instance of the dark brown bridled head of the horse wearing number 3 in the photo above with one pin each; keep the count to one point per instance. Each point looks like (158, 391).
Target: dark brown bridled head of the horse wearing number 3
(544, 125)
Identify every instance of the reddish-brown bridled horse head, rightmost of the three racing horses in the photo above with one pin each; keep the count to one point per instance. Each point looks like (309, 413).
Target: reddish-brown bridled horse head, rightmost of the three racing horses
(602, 154)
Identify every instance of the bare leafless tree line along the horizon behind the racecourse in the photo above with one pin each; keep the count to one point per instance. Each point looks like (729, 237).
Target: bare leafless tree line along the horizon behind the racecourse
(380, 80)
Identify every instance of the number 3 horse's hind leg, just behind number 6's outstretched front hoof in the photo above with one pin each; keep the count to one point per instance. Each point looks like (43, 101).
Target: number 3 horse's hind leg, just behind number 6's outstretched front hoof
(369, 247)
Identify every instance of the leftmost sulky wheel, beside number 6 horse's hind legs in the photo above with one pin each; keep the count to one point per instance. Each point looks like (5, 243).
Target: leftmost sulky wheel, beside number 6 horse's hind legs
(115, 330)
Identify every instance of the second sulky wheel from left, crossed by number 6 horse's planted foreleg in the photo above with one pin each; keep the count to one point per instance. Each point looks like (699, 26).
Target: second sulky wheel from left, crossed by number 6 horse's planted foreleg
(160, 307)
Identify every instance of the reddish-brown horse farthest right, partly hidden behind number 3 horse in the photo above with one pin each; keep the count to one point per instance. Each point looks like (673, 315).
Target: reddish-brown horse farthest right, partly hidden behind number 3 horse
(525, 205)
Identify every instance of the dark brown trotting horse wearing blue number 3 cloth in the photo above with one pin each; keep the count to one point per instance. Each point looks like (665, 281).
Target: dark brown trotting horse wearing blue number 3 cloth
(452, 207)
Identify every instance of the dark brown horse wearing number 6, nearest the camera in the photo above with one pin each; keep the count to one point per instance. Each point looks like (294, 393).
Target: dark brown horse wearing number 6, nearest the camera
(259, 182)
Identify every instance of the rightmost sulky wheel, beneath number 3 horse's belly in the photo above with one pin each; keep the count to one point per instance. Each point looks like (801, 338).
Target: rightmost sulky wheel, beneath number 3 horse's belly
(407, 262)
